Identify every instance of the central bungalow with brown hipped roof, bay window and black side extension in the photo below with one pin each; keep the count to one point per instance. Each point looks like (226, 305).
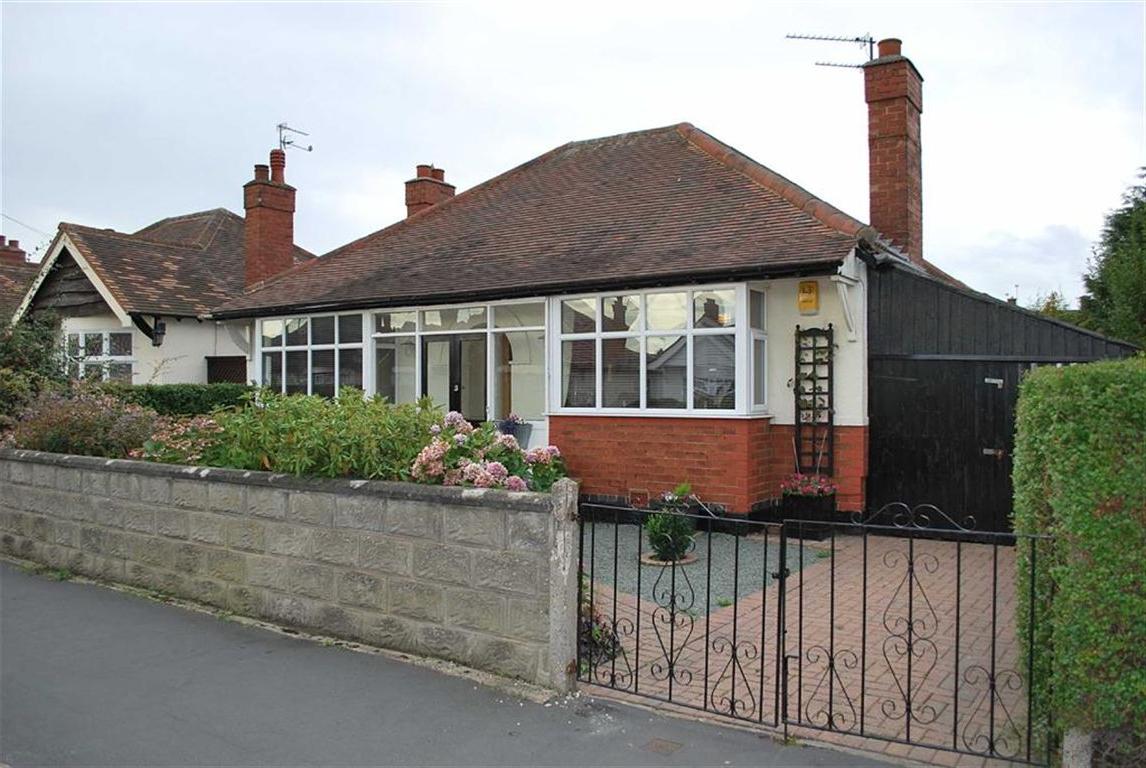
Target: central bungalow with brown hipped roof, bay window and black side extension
(665, 309)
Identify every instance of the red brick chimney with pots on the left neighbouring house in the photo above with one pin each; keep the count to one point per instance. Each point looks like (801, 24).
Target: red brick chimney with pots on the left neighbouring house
(269, 238)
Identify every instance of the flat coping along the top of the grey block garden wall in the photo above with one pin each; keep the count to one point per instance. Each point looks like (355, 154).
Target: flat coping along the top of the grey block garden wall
(524, 501)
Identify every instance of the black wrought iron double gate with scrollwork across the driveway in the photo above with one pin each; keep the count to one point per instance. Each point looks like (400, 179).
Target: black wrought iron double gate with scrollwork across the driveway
(905, 626)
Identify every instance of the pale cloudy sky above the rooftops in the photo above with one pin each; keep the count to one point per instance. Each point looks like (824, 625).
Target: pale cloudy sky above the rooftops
(116, 115)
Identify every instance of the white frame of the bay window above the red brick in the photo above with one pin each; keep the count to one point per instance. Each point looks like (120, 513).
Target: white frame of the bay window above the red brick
(740, 332)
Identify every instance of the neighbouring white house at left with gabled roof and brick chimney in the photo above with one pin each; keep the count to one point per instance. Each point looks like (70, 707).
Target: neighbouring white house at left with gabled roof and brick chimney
(135, 307)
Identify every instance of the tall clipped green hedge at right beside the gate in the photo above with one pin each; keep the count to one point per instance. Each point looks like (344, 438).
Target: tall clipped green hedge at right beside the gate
(1080, 475)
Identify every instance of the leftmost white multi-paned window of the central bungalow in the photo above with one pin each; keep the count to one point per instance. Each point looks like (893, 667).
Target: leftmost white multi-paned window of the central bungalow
(312, 356)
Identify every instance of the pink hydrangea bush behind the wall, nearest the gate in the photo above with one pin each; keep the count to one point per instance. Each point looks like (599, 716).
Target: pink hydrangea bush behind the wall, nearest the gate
(460, 454)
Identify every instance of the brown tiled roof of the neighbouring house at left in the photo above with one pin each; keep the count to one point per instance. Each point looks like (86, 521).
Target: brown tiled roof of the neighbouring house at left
(185, 265)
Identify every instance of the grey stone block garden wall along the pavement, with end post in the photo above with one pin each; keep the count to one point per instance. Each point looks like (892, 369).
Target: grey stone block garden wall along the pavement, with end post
(484, 578)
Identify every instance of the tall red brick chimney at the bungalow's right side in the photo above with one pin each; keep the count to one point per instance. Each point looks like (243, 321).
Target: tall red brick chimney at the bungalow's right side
(893, 89)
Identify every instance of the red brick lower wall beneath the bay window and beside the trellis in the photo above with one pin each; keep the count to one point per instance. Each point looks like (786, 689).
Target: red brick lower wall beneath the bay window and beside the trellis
(736, 463)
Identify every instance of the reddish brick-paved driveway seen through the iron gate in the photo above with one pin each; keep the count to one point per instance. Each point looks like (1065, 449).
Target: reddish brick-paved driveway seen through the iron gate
(851, 675)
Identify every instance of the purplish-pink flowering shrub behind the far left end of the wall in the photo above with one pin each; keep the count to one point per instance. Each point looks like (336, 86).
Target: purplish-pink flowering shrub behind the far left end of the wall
(85, 422)
